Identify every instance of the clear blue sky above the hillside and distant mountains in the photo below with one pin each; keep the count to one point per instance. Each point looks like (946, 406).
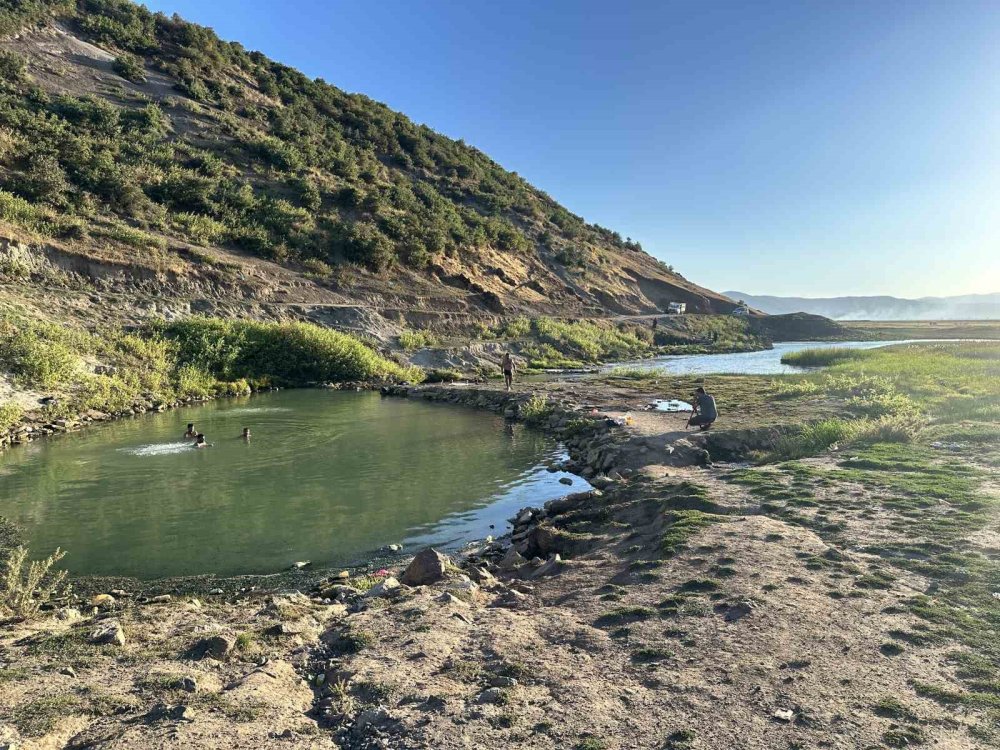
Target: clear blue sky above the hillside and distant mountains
(801, 148)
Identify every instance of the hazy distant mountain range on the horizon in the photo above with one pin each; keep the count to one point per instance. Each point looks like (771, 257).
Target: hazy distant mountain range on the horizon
(962, 307)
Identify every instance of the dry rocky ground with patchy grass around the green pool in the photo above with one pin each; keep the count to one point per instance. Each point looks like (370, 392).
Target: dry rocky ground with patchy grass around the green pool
(842, 599)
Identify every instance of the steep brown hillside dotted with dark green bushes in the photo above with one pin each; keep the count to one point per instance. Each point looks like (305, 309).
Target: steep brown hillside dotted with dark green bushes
(143, 154)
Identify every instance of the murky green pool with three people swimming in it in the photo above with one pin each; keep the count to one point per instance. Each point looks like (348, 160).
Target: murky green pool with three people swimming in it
(327, 476)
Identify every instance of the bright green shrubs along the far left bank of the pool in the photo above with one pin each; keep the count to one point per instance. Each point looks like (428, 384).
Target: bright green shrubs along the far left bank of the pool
(198, 357)
